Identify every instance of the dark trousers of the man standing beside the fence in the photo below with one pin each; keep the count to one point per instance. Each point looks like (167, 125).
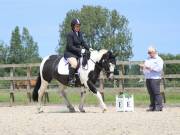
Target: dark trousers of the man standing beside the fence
(153, 87)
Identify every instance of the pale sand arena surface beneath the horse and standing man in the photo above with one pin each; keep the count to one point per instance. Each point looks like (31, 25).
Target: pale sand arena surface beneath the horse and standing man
(23, 120)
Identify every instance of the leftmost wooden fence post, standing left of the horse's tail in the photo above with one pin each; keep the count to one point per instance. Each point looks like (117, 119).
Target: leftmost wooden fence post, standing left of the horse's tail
(12, 98)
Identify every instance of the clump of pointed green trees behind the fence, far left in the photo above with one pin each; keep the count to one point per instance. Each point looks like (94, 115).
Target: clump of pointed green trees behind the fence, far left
(22, 49)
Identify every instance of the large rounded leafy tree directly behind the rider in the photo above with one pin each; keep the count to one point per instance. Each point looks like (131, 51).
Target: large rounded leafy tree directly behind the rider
(102, 29)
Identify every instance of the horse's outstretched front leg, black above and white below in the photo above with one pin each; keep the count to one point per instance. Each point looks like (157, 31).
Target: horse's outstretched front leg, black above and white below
(92, 87)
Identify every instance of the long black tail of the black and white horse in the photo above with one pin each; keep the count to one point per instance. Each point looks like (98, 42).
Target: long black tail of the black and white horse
(36, 88)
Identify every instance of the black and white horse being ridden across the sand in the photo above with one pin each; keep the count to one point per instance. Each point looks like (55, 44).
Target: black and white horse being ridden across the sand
(56, 67)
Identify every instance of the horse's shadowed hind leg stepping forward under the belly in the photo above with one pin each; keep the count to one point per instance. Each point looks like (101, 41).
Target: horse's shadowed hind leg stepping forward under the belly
(63, 94)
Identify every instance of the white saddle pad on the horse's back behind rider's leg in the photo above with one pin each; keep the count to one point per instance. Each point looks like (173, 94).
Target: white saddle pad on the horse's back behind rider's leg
(63, 67)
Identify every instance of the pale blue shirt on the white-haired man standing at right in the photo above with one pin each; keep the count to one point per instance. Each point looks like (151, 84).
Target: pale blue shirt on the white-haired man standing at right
(156, 68)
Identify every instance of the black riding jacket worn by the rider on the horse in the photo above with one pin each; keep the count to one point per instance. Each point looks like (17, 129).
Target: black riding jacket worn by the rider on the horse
(74, 45)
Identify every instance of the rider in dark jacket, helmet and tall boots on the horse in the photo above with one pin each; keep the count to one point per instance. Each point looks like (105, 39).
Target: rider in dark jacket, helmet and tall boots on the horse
(74, 49)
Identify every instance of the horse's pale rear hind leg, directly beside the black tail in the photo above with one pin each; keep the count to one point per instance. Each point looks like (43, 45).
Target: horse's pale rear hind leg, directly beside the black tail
(41, 91)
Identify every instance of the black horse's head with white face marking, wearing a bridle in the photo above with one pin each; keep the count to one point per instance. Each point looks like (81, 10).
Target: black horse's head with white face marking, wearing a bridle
(108, 63)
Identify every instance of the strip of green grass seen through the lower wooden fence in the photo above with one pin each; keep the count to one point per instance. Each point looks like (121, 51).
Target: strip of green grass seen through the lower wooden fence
(140, 97)
